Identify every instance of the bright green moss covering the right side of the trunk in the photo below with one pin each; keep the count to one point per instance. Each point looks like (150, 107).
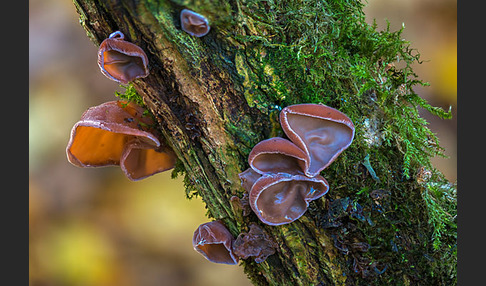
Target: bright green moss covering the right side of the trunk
(324, 52)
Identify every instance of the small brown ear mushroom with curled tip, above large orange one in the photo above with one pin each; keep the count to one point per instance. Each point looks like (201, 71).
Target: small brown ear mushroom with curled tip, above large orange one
(120, 60)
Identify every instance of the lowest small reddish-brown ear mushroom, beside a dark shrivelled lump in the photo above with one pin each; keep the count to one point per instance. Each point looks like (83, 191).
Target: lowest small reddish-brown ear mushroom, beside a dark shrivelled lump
(214, 241)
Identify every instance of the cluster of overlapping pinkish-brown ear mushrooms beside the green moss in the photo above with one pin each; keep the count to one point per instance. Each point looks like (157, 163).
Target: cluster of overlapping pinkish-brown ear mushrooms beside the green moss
(284, 175)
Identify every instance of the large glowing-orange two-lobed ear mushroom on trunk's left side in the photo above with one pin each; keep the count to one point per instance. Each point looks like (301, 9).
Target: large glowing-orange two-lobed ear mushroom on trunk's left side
(115, 133)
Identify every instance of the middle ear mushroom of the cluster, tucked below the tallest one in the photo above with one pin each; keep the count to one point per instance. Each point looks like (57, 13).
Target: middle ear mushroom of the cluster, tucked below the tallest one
(277, 155)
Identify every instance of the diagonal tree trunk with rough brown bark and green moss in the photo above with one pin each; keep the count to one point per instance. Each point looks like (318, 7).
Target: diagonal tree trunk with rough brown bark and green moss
(389, 216)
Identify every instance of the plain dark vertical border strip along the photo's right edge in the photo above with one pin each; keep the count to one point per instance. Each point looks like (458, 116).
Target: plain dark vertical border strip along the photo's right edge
(470, 145)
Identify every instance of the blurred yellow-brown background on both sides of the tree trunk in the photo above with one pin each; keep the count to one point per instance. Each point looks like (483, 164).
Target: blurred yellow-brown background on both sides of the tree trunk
(95, 227)
